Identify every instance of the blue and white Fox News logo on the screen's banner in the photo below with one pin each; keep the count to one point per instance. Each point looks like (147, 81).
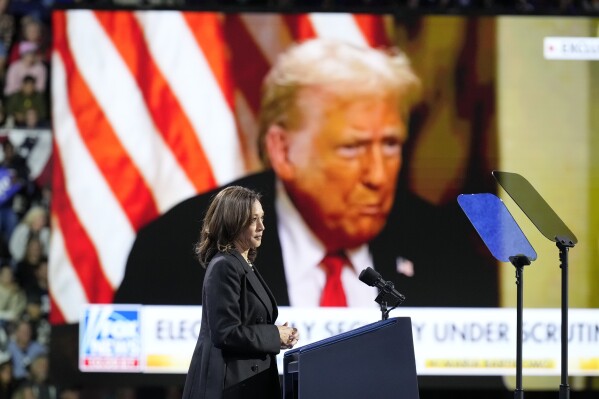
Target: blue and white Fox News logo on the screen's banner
(110, 339)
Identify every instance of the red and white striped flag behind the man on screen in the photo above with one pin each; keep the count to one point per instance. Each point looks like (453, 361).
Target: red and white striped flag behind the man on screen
(149, 109)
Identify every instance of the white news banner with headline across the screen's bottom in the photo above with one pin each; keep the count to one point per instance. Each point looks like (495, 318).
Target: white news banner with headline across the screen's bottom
(447, 341)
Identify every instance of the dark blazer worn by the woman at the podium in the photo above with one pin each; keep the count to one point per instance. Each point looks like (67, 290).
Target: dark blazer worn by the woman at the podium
(235, 355)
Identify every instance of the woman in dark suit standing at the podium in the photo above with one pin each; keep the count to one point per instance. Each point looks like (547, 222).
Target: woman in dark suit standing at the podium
(235, 356)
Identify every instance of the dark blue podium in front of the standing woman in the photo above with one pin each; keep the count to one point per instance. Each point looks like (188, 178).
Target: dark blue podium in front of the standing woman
(373, 361)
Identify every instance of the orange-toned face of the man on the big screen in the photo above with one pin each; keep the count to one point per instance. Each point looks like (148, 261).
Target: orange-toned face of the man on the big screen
(344, 157)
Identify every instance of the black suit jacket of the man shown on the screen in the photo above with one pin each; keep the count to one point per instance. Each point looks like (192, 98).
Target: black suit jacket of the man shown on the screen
(452, 267)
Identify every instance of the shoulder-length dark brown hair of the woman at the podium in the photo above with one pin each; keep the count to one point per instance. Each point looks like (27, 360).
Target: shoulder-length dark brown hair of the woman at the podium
(227, 216)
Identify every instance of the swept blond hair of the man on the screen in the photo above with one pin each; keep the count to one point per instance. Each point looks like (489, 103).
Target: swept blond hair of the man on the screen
(342, 68)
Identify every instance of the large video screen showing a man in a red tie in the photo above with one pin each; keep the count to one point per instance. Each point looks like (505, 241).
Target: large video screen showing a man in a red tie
(155, 111)
